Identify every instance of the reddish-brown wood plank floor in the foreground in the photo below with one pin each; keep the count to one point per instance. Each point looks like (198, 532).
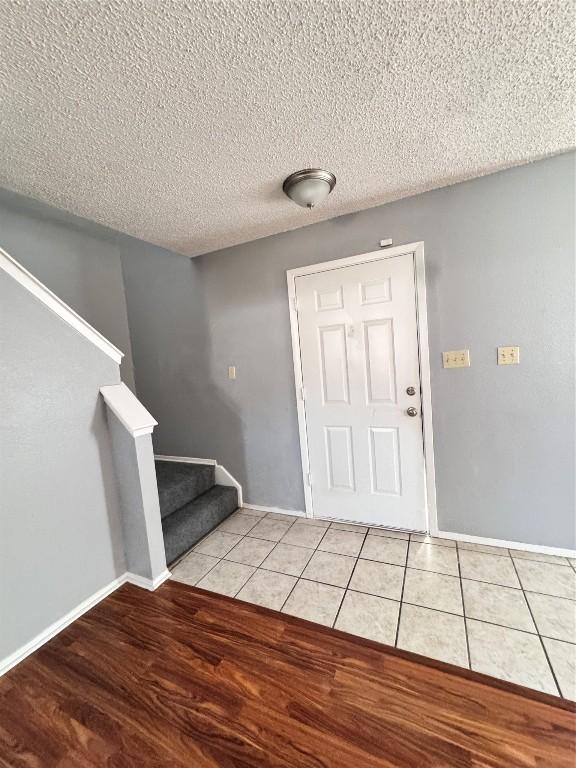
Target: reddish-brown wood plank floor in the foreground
(185, 678)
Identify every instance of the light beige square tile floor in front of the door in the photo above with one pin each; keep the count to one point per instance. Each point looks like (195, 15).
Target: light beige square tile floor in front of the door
(507, 613)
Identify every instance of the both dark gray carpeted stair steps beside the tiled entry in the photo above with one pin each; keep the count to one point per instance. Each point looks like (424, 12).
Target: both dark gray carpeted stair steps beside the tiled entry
(191, 504)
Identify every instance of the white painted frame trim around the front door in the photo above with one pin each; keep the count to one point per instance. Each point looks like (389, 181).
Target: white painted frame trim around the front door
(417, 249)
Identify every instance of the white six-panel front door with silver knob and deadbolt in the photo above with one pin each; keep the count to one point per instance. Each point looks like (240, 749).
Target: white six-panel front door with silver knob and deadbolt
(359, 356)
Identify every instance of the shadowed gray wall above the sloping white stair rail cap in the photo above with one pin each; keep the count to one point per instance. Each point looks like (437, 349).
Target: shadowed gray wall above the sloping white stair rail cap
(78, 260)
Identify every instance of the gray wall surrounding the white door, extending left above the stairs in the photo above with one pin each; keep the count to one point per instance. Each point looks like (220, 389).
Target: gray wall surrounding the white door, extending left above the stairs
(500, 270)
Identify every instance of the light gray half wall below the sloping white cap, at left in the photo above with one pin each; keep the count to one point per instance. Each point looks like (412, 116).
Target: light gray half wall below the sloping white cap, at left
(60, 527)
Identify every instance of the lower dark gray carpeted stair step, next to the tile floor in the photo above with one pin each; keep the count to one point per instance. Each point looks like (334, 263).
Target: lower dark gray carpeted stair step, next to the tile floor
(185, 527)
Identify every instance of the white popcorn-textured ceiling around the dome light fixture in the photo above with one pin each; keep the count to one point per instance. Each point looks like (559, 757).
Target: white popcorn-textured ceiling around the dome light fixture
(177, 121)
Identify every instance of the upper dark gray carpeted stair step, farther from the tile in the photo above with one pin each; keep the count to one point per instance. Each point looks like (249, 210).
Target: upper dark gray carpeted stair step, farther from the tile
(180, 483)
